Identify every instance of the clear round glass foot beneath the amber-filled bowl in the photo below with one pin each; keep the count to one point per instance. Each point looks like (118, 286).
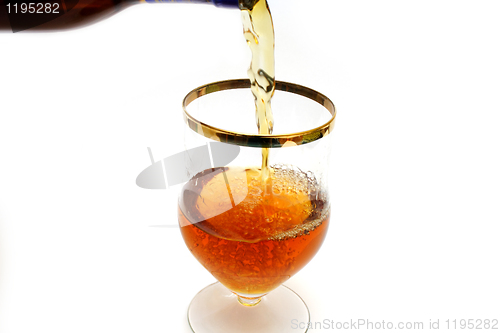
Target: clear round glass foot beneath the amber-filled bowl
(216, 309)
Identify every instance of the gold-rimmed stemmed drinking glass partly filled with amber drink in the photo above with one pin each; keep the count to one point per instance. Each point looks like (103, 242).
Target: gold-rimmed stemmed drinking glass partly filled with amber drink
(253, 232)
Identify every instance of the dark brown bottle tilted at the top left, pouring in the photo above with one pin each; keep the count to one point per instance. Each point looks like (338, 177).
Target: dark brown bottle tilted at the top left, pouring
(30, 15)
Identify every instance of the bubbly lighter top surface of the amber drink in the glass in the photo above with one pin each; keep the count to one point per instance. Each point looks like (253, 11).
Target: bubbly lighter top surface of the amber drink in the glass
(293, 208)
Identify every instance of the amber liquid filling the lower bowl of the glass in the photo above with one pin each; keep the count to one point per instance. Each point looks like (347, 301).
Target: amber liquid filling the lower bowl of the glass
(250, 240)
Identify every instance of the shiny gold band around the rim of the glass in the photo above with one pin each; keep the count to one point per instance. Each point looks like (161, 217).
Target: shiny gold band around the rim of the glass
(259, 140)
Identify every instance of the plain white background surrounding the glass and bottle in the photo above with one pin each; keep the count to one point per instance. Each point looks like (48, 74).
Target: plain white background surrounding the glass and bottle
(416, 181)
